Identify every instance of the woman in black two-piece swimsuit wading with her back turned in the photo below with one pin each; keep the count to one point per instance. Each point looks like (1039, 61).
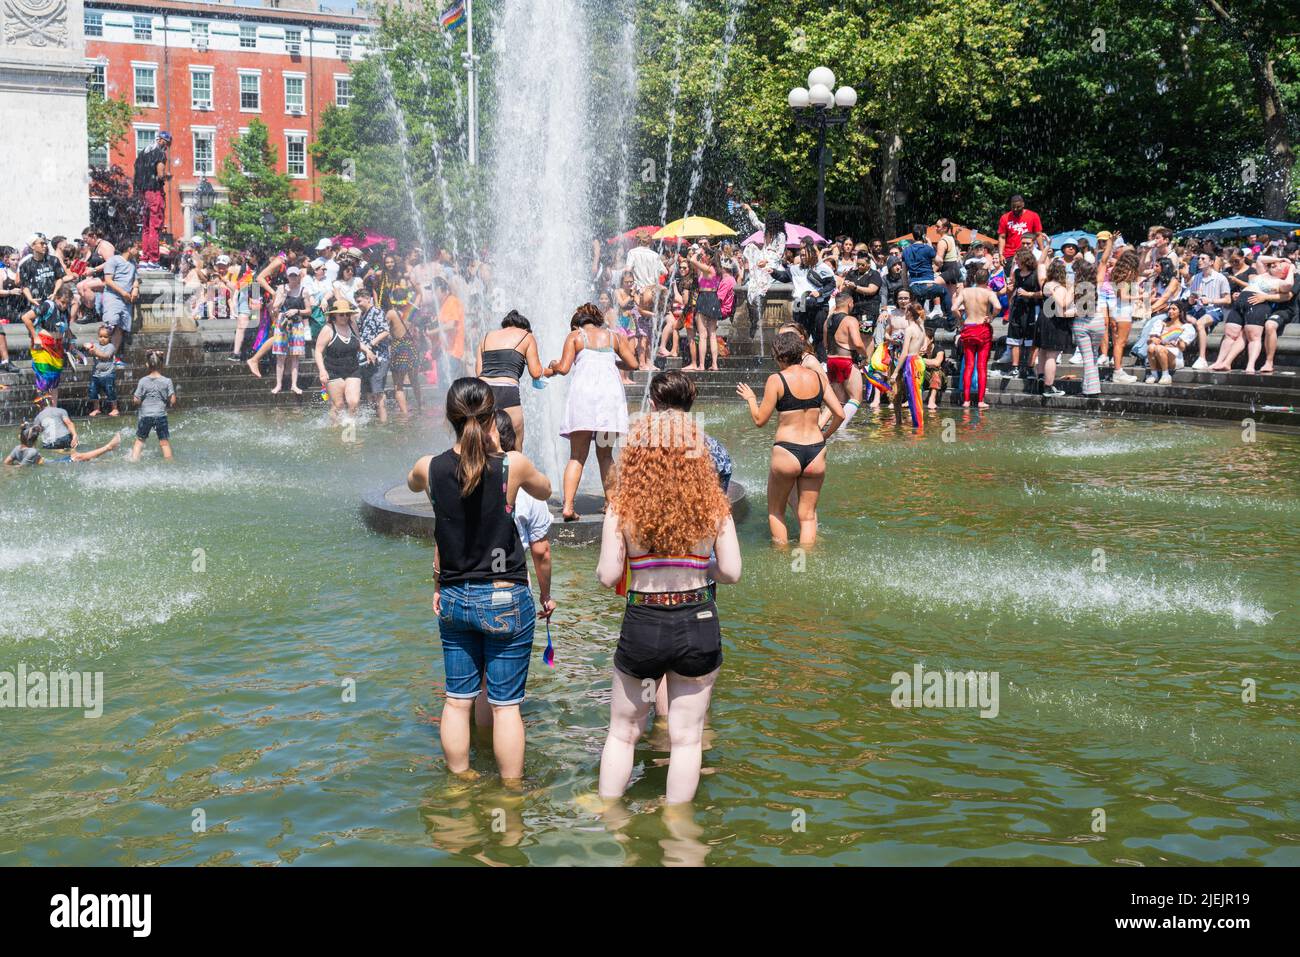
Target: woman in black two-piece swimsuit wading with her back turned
(799, 453)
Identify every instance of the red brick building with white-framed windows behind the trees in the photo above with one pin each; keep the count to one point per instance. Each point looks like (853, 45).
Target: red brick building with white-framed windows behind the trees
(203, 71)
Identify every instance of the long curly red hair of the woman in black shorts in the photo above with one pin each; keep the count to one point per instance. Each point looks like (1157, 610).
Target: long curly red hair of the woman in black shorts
(666, 490)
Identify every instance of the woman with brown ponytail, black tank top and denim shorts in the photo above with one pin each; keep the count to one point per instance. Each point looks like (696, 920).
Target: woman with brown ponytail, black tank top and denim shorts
(480, 596)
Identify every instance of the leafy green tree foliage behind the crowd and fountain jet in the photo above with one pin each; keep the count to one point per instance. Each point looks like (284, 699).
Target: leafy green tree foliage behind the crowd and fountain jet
(1102, 114)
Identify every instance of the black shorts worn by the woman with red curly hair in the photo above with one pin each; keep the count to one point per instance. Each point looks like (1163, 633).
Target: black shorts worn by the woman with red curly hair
(684, 639)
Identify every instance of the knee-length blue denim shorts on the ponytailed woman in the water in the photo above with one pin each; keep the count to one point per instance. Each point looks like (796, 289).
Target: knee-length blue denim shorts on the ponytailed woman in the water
(487, 630)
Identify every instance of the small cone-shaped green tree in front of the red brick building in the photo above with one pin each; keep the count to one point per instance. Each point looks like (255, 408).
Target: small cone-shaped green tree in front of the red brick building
(255, 188)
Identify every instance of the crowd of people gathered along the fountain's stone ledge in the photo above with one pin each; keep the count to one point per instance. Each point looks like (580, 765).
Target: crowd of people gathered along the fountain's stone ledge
(374, 315)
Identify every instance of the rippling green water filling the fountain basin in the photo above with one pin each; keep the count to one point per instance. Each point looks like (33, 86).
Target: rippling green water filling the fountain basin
(231, 597)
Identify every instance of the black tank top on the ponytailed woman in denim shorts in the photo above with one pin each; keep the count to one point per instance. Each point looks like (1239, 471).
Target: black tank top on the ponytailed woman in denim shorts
(478, 540)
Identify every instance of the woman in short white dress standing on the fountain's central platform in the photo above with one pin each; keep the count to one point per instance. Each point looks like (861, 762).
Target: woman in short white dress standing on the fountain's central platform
(597, 406)
